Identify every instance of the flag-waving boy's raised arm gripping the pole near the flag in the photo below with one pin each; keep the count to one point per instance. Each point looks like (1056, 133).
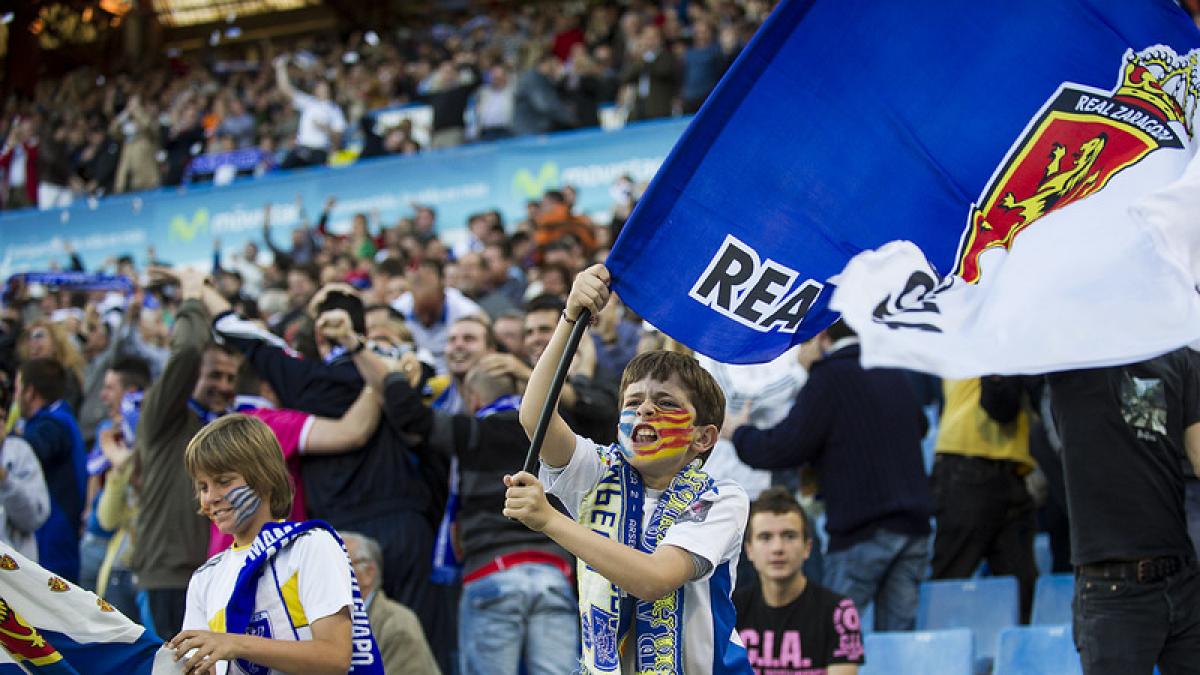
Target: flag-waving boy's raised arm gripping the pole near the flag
(590, 292)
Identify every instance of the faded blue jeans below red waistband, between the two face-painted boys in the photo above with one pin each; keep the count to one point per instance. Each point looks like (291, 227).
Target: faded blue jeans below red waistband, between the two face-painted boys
(526, 616)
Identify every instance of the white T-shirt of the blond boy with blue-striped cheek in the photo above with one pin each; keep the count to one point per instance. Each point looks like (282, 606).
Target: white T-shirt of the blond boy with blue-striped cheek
(305, 582)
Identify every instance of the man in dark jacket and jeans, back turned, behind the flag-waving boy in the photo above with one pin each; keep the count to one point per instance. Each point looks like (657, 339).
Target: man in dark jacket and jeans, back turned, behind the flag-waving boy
(861, 431)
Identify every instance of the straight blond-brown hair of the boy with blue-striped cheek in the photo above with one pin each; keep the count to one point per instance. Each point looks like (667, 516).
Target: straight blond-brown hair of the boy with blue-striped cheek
(243, 445)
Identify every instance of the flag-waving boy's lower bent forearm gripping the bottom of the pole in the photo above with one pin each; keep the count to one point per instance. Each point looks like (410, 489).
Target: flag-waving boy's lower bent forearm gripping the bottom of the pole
(644, 576)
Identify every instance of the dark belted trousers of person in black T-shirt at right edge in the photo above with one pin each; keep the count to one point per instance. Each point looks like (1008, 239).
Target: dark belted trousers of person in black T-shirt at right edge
(1124, 628)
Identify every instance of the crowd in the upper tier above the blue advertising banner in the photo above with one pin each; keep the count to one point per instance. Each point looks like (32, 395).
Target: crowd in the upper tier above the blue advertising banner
(261, 107)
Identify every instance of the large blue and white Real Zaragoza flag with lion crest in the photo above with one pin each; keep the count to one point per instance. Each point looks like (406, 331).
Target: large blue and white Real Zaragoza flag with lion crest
(1007, 144)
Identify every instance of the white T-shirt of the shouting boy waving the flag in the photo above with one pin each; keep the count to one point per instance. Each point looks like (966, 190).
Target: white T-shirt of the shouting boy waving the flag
(713, 533)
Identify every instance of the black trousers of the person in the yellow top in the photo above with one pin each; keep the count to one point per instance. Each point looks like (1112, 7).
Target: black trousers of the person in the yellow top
(985, 512)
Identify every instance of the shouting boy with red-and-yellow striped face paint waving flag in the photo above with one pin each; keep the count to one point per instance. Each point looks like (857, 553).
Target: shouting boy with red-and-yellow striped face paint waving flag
(658, 540)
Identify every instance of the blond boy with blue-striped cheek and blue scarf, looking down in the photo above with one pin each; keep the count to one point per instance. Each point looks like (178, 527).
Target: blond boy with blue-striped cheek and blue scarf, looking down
(284, 599)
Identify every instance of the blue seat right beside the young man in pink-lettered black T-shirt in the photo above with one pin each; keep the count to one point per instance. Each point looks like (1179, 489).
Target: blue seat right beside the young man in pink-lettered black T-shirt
(945, 653)
